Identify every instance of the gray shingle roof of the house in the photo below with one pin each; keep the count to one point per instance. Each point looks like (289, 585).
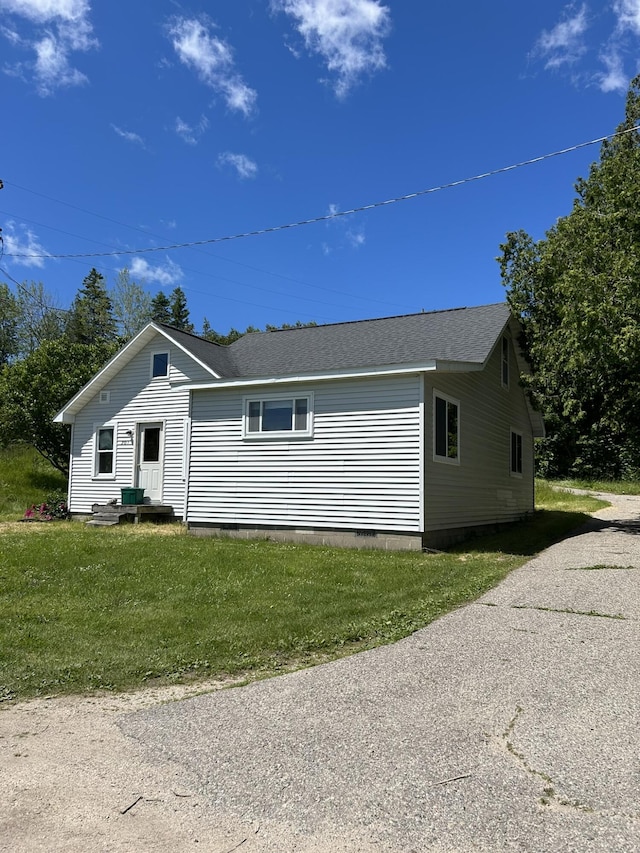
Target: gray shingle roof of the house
(461, 334)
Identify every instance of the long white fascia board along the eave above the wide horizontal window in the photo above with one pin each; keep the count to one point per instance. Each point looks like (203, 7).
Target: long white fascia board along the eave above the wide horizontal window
(358, 373)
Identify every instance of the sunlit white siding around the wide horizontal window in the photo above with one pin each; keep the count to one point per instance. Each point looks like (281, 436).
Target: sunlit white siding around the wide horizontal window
(360, 470)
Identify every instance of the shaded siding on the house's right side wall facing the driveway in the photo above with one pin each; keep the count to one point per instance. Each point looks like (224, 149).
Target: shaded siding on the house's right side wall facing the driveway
(480, 489)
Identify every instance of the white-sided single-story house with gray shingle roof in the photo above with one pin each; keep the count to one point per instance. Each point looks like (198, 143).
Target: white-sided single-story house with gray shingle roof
(404, 431)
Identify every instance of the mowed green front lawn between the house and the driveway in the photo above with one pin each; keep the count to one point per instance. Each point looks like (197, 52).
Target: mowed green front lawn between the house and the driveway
(85, 609)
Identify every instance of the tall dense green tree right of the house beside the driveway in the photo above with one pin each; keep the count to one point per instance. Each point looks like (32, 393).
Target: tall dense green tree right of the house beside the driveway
(577, 293)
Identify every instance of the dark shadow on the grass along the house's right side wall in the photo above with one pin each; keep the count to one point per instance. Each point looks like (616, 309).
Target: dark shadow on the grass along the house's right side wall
(528, 538)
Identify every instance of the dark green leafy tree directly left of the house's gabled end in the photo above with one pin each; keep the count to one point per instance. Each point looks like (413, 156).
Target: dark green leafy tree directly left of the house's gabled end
(34, 389)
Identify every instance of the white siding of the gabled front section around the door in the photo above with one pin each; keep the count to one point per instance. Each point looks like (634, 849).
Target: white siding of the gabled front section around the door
(134, 397)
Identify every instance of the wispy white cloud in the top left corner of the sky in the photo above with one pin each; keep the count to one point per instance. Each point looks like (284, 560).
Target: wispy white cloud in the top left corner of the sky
(58, 28)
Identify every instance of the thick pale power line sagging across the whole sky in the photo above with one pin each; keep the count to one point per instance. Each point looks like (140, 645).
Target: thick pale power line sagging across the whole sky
(337, 214)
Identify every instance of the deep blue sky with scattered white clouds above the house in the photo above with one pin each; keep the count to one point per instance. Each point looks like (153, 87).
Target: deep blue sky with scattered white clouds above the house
(131, 126)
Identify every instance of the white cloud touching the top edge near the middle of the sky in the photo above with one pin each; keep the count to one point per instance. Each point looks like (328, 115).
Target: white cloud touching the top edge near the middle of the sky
(347, 34)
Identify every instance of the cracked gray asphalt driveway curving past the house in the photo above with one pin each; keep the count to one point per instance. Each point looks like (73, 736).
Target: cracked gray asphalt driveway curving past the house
(512, 724)
